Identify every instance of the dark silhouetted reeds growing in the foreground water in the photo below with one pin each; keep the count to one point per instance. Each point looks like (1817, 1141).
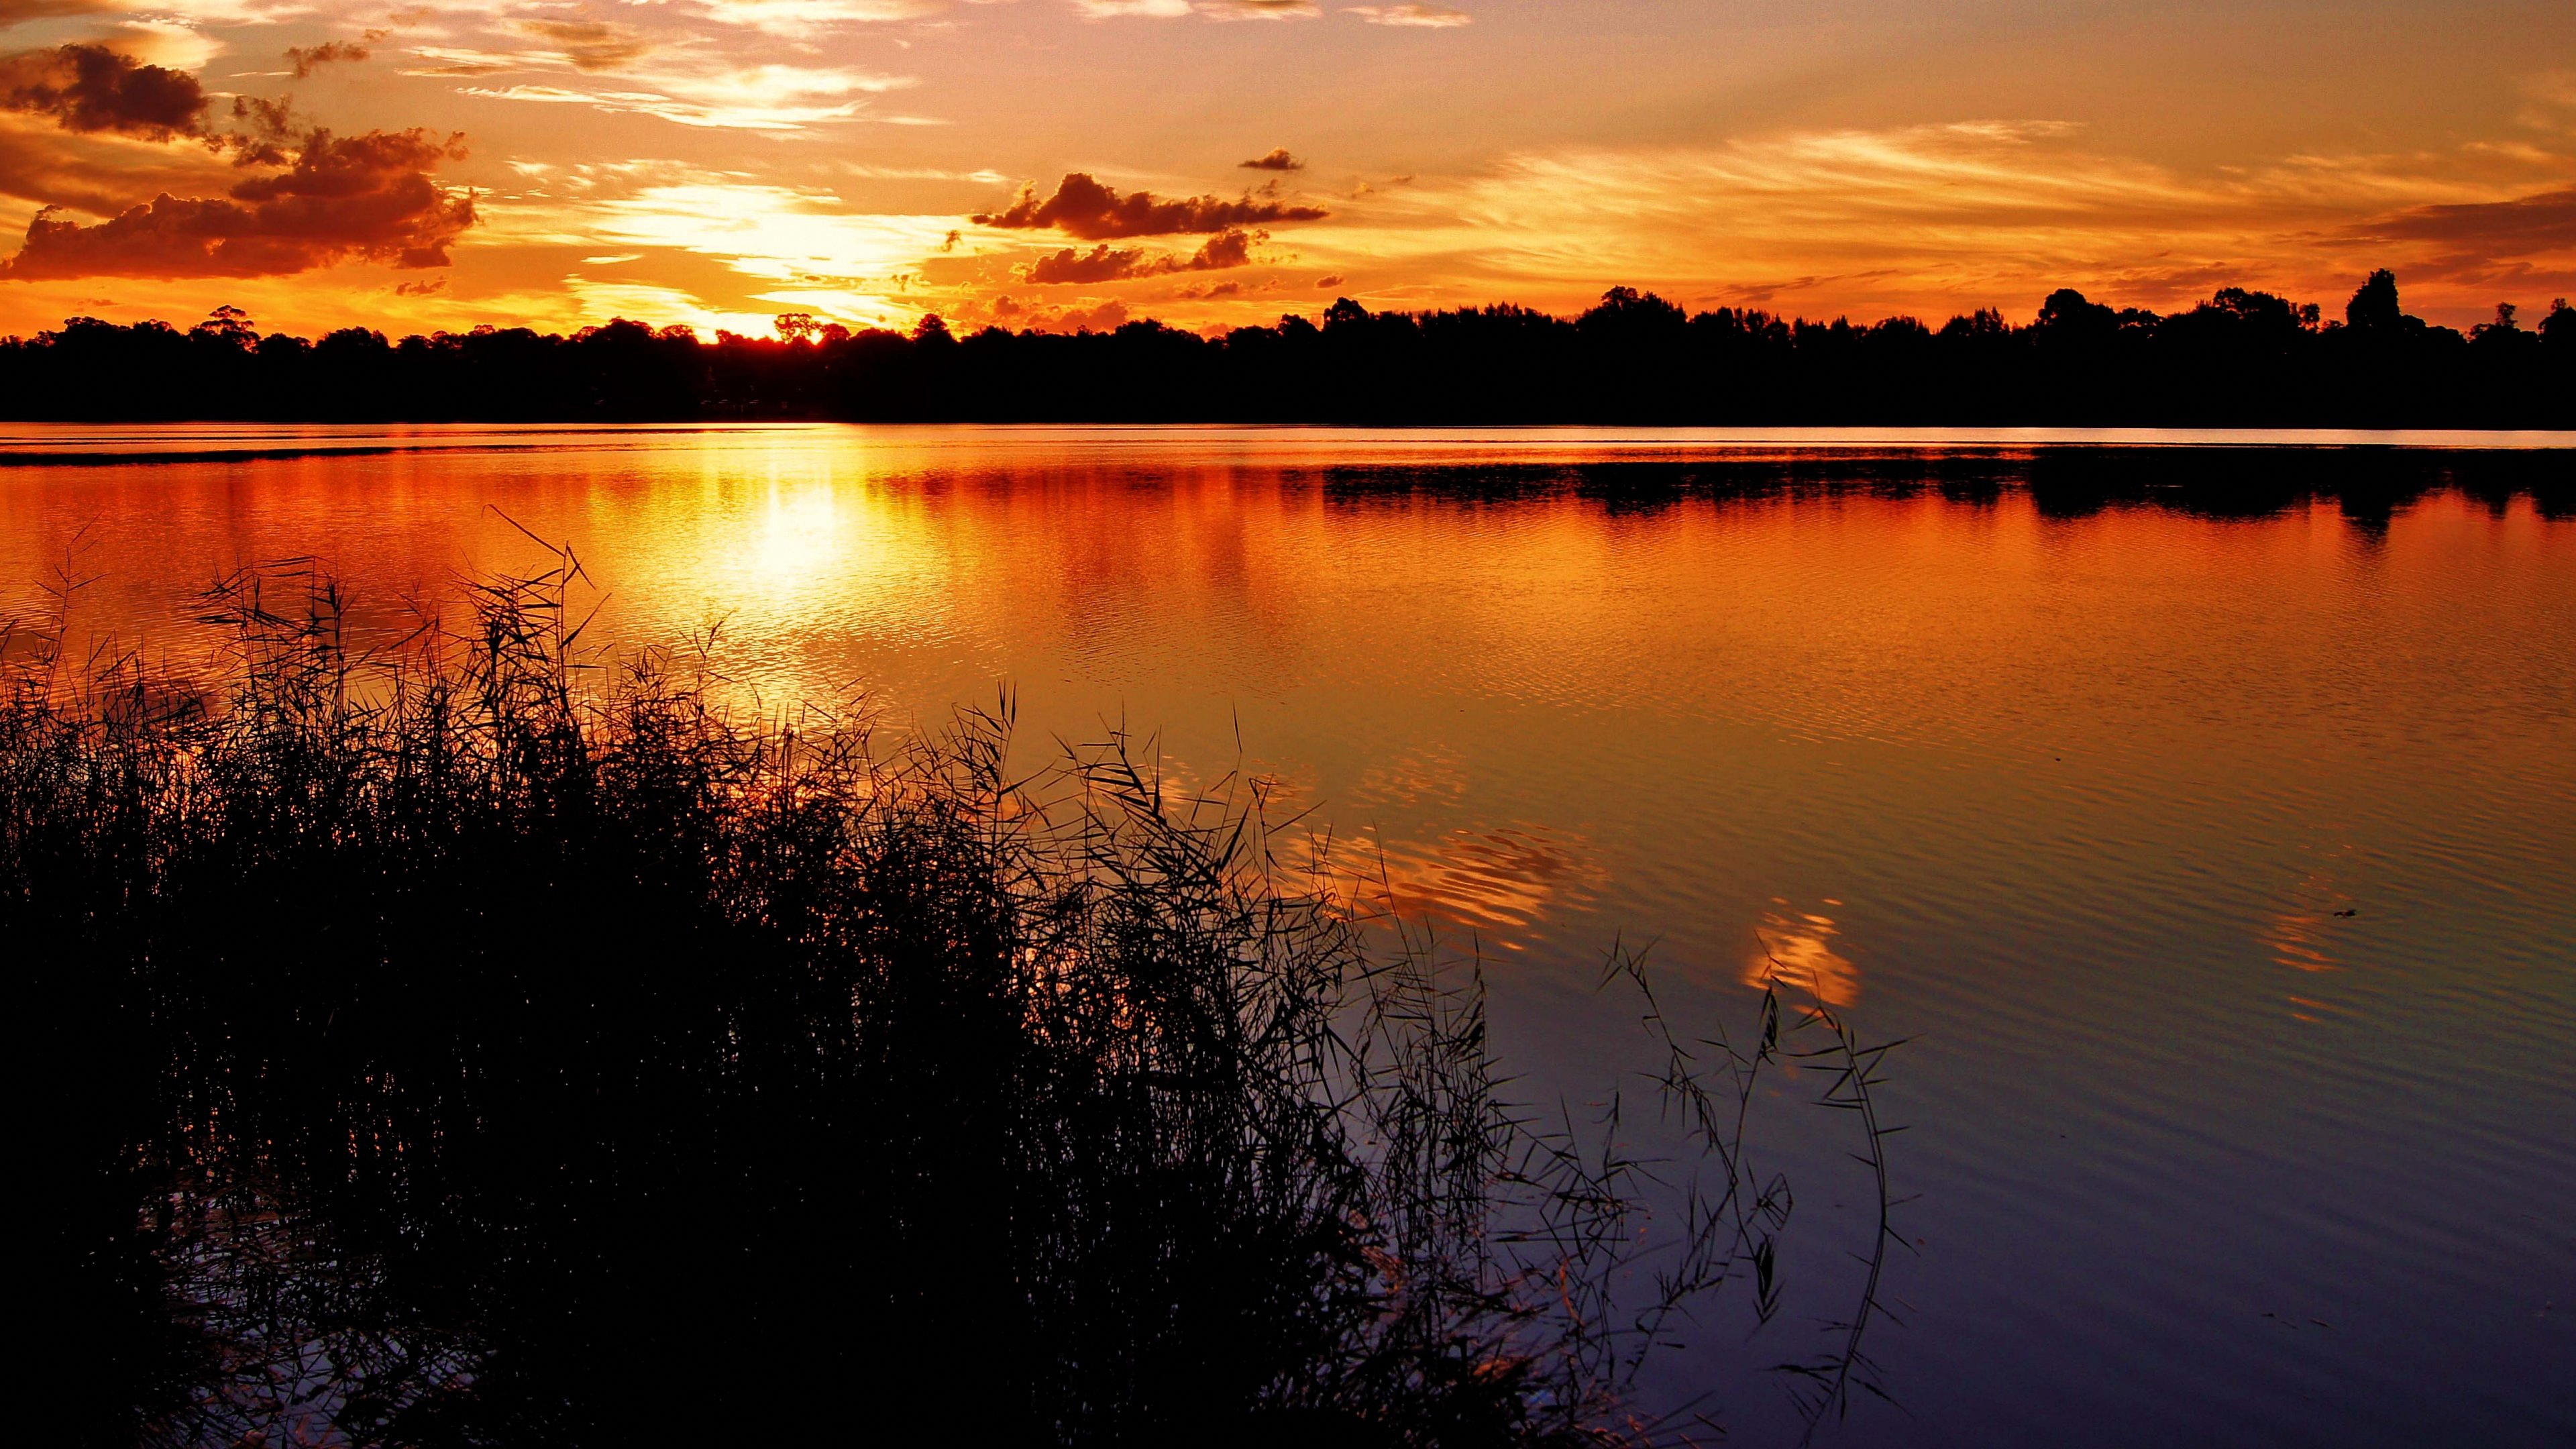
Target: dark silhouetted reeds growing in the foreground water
(455, 1035)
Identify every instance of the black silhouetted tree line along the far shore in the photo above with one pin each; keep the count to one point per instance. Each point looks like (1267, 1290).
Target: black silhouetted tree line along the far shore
(2235, 360)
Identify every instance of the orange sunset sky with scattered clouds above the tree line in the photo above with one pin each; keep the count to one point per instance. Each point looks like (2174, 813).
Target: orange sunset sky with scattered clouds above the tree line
(1227, 161)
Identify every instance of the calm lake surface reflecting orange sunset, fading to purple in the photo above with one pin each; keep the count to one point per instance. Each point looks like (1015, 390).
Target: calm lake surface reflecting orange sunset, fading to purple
(2219, 868)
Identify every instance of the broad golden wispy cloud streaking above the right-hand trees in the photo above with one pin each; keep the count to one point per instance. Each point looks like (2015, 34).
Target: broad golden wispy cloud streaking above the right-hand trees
(1928, 218)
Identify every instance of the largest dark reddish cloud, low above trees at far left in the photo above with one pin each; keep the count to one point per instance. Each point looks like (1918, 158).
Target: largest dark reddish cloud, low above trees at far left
(344, 200)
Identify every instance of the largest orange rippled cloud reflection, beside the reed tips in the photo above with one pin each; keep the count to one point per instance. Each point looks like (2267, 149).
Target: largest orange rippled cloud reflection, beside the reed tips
(1495, 880)
